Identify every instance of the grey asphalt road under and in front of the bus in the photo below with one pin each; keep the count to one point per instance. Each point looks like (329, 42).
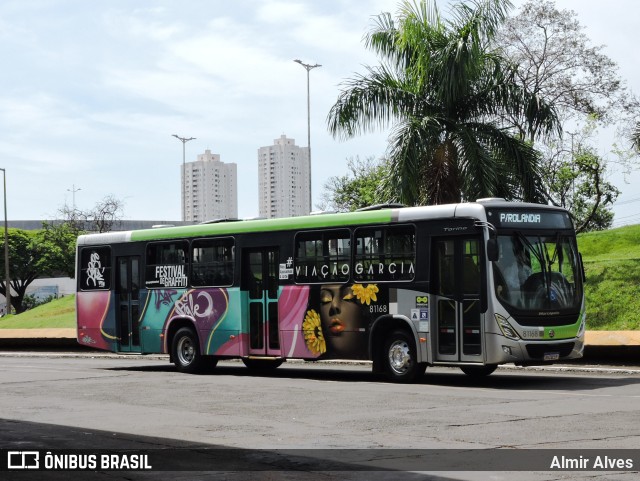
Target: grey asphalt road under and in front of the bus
(85, 402)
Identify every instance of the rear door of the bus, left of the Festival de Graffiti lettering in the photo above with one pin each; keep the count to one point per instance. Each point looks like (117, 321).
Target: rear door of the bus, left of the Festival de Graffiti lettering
(128, 302)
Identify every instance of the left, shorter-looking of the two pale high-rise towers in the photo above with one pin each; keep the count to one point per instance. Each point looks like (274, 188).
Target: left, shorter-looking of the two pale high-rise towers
(210, 189)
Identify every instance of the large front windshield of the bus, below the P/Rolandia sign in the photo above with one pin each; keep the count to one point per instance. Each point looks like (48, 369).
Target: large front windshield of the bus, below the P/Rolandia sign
(538, 272)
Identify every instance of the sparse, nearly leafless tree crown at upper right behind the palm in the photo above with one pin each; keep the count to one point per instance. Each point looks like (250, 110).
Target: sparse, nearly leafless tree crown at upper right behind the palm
(556, 62)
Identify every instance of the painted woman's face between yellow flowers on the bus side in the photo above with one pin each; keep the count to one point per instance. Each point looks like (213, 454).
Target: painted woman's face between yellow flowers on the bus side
(339, 313)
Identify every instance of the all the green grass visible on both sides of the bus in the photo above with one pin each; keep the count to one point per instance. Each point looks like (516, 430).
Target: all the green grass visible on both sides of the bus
(612, 265)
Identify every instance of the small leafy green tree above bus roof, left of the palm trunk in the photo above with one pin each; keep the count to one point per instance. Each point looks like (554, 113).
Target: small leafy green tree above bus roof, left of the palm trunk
(360, 187)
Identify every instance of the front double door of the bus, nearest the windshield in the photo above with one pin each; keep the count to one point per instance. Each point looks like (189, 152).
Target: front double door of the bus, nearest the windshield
(457, 281)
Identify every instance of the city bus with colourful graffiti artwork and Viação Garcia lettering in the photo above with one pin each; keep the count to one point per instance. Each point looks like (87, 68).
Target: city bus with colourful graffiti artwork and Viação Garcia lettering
(472, 285)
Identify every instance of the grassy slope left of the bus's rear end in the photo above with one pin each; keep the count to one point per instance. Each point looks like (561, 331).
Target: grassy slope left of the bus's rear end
(60, 313)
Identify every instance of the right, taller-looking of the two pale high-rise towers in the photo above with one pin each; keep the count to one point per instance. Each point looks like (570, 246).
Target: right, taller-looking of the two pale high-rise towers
(284, 179)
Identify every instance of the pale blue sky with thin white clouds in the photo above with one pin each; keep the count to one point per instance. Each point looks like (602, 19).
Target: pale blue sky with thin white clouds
(92, 92)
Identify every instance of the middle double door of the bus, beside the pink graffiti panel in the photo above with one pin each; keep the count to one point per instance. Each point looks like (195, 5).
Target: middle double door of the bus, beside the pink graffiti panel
(261, 272)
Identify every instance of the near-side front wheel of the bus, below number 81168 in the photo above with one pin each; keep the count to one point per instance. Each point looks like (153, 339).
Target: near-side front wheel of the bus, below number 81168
(399, 358)
